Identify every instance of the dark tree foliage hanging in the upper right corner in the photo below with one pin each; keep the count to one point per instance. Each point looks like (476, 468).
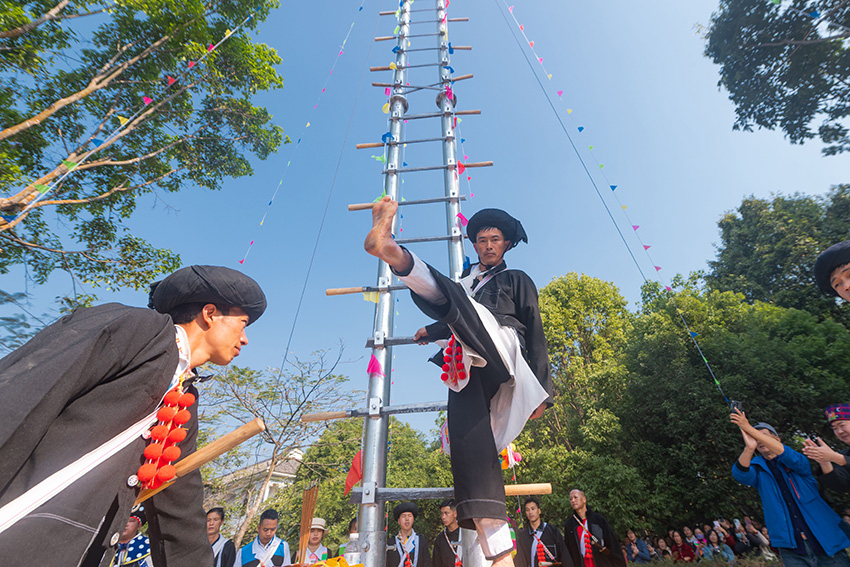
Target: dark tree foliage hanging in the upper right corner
(786, 66)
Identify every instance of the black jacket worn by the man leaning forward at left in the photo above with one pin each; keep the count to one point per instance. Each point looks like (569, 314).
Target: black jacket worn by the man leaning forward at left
(75, 385)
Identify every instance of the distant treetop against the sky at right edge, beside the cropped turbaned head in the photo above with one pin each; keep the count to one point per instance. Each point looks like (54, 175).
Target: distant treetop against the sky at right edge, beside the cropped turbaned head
(768, 249)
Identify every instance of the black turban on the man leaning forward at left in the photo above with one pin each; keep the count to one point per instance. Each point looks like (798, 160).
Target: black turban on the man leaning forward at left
(208, 284)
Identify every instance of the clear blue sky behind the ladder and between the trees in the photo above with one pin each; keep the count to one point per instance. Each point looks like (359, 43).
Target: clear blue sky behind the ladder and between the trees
(634, 76)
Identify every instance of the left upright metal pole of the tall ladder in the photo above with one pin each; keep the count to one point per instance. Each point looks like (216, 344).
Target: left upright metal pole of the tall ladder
(376, 428)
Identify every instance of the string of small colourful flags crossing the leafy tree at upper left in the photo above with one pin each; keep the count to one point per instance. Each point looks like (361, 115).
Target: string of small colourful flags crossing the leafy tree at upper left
(123, 121)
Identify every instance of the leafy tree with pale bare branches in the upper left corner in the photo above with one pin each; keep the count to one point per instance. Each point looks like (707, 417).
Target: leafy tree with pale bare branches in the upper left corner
(72, 72)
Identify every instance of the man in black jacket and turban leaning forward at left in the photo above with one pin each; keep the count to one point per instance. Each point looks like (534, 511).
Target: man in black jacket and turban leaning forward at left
(78, 402)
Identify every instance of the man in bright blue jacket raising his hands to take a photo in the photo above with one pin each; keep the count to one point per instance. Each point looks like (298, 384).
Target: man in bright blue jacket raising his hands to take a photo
(803, 527)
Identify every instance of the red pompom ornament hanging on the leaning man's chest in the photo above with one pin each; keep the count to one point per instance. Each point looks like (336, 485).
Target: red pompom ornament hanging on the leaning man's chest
(165, 436)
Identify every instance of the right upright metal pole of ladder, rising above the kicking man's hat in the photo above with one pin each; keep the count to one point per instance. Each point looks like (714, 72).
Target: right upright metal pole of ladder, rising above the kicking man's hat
(451, 179)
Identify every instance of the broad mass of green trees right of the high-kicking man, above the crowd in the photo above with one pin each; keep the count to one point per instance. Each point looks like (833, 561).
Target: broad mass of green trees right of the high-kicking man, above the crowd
(638, 422)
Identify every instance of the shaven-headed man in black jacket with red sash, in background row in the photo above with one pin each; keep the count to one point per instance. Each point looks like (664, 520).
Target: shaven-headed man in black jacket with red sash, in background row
(589, 538)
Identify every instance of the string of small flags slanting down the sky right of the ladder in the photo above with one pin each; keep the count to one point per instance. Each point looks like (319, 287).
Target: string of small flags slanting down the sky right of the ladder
(600, 166)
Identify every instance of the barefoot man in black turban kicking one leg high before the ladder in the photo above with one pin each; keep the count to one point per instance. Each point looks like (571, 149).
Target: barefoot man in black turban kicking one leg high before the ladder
(499, 378)
